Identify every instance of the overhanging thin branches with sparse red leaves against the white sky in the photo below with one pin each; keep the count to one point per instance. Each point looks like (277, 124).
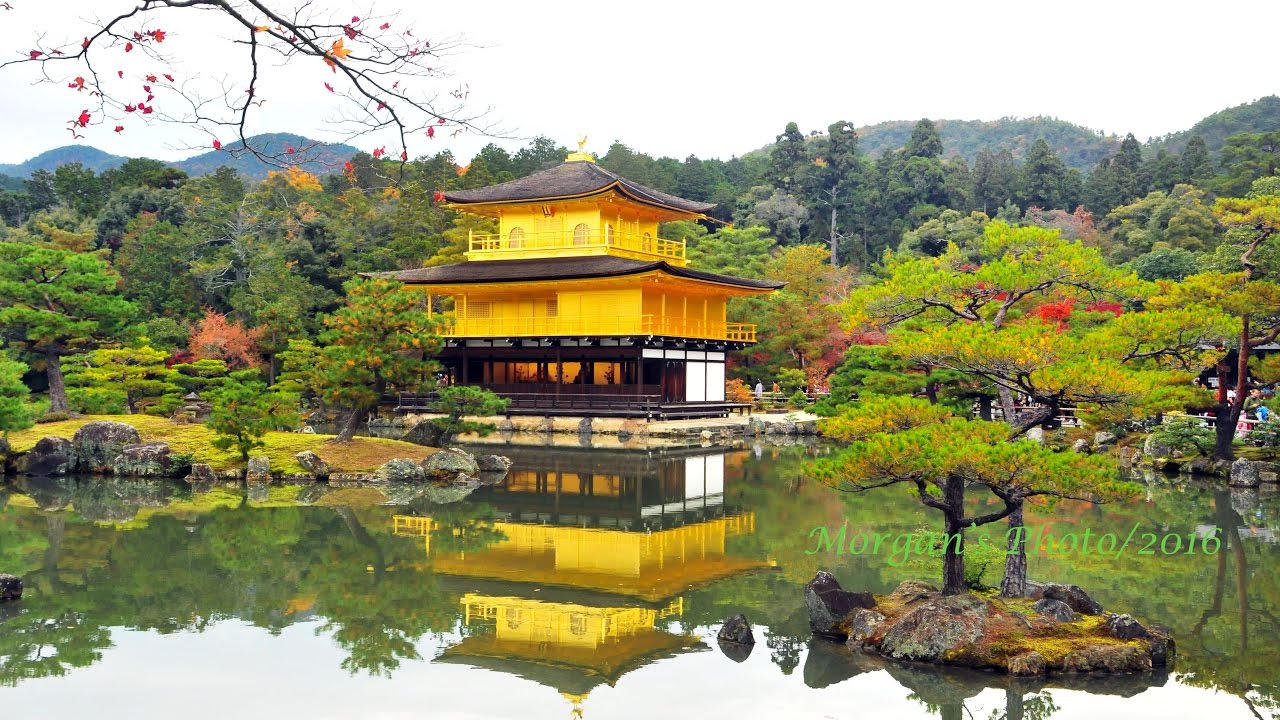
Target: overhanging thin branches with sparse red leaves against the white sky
(131, 65)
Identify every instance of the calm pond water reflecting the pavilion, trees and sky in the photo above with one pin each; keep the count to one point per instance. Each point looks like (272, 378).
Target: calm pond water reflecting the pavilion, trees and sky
(589, 585)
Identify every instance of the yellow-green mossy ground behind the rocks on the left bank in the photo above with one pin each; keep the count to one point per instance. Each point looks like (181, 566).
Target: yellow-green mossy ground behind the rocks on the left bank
(362, 454)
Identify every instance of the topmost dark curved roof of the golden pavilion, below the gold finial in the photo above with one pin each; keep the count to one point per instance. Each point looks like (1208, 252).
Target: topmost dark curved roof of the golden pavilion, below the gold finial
(575, 179)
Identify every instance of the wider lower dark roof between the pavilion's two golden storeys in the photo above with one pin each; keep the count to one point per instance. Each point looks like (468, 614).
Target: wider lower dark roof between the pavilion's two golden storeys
(560, 270)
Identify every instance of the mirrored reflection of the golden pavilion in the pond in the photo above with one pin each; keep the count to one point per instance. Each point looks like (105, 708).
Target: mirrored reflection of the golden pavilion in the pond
(592, 558)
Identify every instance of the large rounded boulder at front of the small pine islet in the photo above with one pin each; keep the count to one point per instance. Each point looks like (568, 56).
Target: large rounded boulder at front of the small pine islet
(940, 626)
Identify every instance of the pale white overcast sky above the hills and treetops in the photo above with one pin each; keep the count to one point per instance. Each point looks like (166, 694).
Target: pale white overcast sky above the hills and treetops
(721, 79)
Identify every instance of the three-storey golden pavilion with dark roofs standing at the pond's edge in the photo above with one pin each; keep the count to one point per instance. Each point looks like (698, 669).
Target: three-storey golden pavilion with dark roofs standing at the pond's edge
(578, 307)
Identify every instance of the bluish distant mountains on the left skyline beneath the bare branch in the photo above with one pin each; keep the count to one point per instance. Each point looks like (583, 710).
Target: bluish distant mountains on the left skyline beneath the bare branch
(314, 157)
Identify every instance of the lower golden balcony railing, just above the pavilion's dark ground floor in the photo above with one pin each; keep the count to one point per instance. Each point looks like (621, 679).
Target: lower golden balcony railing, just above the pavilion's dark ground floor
(601, 326)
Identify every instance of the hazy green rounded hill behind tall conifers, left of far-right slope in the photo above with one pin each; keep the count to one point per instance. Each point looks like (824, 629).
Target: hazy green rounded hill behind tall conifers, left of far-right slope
(1078, 147)
